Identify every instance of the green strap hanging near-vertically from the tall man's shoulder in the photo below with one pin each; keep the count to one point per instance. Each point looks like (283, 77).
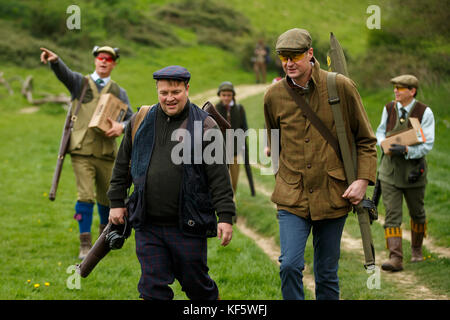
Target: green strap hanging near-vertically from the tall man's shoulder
(334, 101)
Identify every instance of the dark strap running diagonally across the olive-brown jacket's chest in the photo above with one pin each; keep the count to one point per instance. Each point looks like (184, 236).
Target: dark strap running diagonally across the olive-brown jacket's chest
(315, 121)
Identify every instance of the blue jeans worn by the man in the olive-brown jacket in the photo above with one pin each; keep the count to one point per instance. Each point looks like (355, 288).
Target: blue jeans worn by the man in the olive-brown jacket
(294, 232)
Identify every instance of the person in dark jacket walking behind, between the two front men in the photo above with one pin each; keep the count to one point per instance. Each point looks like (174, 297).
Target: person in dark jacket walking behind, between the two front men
(234, 113)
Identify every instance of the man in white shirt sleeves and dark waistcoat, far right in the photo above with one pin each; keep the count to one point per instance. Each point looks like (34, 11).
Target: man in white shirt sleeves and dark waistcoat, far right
(404, 171)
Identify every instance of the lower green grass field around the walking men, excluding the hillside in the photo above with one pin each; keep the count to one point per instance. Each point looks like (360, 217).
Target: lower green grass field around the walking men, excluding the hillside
(40, 238)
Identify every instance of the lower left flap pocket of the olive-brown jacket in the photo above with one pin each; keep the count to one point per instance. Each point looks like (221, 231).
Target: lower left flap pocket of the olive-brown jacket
(288, 187)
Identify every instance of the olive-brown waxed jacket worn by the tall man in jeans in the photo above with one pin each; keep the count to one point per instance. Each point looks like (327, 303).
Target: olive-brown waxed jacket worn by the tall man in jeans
(311, 180)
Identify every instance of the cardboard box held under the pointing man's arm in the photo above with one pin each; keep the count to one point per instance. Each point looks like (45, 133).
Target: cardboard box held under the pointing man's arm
(109, 106)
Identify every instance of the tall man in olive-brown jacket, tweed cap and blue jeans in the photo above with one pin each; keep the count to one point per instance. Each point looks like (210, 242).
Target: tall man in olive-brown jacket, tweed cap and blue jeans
(310, 186)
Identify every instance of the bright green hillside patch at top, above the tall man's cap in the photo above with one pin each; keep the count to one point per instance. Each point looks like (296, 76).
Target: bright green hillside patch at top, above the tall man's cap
(347, 19)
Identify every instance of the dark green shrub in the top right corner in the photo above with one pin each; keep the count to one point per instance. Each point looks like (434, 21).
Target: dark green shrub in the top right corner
(410, 41)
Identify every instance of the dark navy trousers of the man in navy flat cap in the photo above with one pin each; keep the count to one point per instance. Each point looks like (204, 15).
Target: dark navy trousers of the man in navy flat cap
(165, 254)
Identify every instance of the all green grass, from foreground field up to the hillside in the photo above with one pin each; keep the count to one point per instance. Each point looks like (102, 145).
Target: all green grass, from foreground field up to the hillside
(40, 238)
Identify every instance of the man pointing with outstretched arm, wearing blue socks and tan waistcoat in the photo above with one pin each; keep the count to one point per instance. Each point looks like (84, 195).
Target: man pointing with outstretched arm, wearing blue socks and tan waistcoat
(92, 153)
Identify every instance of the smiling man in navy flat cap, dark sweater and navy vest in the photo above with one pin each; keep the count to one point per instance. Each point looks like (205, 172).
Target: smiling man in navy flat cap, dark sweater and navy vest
(173, 207)
